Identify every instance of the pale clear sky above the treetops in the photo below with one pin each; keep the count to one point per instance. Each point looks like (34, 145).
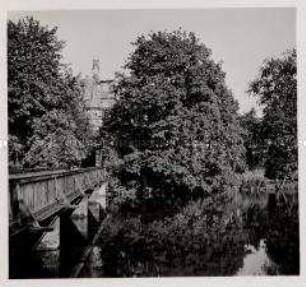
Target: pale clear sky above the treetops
(239, 37)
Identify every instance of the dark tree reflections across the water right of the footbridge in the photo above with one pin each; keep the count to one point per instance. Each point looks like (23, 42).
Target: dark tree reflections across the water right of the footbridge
(194, 243)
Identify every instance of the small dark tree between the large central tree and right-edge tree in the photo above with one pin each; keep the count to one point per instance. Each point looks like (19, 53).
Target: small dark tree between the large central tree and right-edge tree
(253, 141)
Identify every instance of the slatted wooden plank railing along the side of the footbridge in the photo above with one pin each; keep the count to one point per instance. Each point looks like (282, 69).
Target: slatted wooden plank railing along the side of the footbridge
(44, 193)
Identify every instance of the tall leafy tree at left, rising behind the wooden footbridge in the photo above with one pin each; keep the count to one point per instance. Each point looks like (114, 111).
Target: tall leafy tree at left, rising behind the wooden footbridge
(48, 126)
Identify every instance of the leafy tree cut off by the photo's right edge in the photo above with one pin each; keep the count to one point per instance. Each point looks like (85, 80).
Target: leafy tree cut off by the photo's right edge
(276, 87)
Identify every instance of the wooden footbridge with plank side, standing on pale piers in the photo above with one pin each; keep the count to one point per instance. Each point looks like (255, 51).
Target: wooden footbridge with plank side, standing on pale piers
(45, 205)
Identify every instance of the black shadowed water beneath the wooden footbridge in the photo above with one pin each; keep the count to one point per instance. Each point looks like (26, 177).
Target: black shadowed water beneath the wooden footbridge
(27, 262)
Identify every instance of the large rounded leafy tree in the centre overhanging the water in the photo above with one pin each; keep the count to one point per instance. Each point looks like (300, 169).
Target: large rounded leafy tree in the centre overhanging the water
(175, 126)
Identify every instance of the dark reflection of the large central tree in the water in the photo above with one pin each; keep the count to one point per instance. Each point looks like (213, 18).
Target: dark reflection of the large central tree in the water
(191, 243)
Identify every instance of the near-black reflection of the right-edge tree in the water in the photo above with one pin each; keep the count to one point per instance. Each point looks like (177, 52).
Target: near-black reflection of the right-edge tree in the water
(279, 228)
